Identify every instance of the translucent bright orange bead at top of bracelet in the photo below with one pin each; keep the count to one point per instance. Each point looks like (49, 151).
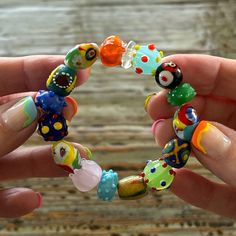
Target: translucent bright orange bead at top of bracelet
(111, 51)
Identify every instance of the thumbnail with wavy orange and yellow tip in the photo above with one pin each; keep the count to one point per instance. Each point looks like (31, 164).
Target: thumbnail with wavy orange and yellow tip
(210, 141)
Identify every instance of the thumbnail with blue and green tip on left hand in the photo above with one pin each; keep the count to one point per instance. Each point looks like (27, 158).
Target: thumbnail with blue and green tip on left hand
(19, 115)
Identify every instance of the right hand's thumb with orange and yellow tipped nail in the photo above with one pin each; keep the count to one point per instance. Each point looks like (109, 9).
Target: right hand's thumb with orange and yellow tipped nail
(215, 147)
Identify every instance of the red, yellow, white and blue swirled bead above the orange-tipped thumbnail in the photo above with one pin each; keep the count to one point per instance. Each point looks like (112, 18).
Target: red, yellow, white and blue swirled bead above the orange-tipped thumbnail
(185, 121)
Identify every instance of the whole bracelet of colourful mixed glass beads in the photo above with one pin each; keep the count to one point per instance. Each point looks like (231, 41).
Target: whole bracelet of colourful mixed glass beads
(87, 174)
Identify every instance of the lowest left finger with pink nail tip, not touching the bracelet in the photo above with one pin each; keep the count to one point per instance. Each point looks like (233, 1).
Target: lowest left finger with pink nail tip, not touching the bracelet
(18, 202)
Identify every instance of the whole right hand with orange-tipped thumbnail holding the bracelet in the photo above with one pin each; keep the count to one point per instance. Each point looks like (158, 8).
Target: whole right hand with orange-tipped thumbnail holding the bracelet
(214, 80)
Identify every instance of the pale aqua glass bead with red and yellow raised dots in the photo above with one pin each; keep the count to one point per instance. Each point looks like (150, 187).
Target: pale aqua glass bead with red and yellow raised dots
(146, 59)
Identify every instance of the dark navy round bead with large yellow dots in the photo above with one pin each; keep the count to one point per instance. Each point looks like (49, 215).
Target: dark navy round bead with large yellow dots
(52, 127)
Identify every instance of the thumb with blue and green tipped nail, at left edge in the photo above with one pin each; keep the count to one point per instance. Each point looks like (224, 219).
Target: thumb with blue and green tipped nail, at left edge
(18, 120)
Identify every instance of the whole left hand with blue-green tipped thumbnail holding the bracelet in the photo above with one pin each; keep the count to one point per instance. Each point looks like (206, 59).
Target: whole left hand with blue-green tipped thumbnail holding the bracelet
(19, 77)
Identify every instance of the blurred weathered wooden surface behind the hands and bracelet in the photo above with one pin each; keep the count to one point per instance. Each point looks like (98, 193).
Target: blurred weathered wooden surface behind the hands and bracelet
(111, 119)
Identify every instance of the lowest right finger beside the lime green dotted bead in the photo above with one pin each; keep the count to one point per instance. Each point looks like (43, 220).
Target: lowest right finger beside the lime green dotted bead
(203, 193)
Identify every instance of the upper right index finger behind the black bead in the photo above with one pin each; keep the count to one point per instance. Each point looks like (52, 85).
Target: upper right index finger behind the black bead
(208, 74)
